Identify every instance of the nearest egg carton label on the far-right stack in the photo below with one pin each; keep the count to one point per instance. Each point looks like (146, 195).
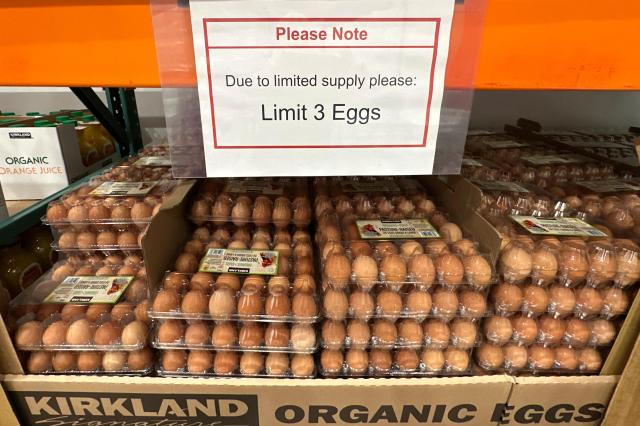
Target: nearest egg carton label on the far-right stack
(565, 226)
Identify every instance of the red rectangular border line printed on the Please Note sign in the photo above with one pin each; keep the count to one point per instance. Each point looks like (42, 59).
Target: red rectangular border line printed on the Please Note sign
(205, 21)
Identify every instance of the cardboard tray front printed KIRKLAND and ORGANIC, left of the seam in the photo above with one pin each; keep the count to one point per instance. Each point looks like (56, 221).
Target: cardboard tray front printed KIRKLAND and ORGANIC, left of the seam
(243, 401)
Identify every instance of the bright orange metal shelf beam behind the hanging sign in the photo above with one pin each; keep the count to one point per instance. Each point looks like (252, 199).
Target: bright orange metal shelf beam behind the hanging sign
(526, 44)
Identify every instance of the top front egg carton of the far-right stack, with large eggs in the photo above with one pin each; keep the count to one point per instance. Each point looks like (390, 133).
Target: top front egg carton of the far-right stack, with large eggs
(570, 261)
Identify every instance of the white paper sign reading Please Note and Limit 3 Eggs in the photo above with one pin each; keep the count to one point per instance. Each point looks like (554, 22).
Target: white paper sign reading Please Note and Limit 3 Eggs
(320, 87)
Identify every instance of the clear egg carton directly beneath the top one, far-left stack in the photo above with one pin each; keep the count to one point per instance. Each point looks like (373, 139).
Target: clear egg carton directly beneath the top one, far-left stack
(98, 238)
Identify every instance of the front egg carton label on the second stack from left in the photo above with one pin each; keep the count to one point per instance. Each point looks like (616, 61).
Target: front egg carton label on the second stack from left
(254, 262)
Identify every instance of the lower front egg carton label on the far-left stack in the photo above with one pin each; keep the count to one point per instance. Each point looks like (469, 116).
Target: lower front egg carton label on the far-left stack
(89, 290)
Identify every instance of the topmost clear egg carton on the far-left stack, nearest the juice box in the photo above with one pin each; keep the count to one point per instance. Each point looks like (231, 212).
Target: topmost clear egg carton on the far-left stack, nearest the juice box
(81, 209)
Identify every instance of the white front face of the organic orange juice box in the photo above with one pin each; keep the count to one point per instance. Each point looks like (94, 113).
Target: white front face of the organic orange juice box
(31, 162)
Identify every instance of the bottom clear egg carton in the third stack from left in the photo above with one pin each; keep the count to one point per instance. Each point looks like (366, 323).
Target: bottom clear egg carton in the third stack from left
(395, 362)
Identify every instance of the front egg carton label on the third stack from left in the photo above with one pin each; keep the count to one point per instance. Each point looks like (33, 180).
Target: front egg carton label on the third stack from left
(393, 229)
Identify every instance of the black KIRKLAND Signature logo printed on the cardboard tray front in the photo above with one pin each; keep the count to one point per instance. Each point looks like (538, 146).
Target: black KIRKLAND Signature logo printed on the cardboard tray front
(128, 409)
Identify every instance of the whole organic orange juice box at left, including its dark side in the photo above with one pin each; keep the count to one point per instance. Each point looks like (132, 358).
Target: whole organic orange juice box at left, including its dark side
(36, 162)
